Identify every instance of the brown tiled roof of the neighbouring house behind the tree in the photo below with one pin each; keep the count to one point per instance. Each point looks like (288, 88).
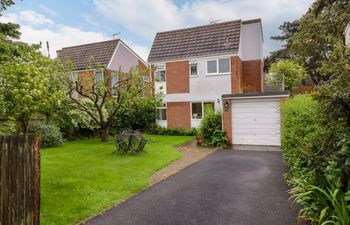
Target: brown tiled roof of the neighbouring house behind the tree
(92, 54)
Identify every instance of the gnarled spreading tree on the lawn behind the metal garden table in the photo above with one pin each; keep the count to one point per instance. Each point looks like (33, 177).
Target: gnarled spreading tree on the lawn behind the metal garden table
(99, 100)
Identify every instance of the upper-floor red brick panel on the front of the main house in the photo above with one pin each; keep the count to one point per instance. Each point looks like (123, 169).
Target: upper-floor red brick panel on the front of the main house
(177, 77)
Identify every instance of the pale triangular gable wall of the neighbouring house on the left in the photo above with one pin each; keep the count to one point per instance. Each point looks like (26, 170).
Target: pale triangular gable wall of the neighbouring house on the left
(123, 59)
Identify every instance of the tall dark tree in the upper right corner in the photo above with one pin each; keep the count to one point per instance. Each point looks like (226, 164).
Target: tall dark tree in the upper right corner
(312, 38)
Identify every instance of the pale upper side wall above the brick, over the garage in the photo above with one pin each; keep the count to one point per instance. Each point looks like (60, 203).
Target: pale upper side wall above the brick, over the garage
(251, 42)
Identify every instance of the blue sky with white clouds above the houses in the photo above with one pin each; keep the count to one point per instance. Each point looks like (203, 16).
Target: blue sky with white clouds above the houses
(66, 23)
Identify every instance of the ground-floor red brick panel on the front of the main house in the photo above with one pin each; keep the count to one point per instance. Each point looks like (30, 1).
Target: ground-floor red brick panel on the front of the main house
(178, 115)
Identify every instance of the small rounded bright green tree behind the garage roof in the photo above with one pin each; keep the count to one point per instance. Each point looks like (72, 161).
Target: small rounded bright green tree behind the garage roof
(288, 72)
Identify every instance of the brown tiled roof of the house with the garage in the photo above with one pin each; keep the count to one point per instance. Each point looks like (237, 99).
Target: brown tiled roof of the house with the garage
(212, 39)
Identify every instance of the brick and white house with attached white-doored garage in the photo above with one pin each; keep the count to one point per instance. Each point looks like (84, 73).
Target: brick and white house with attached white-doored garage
(216, 67)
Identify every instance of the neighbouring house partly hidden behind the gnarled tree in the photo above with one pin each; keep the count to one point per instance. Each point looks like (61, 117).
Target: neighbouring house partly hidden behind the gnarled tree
(113, 55)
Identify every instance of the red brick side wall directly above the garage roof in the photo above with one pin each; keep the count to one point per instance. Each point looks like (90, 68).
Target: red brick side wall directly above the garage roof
(252, 76)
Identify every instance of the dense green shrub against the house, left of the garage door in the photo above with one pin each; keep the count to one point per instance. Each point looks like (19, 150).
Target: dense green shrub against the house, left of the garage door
(211, 129)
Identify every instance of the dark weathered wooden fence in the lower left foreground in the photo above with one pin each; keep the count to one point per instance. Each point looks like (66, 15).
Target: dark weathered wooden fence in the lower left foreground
(20, 179)
